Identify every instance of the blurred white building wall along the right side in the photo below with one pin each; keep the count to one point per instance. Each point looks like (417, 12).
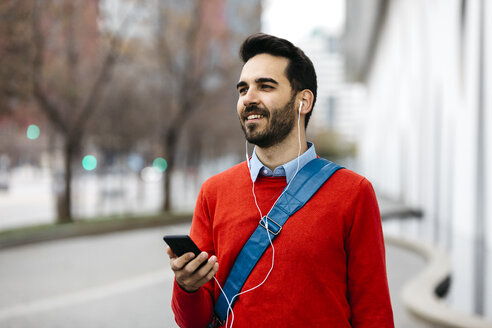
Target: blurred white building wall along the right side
(427, 139)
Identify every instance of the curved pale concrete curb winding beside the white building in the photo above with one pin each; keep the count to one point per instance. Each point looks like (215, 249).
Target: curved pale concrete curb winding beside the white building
(419, 294)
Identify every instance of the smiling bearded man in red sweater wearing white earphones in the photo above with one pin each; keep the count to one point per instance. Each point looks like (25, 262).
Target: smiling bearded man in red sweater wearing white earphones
(327, 266)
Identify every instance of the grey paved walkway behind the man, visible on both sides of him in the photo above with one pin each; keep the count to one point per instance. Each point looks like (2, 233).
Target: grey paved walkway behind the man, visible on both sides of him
(120, 279)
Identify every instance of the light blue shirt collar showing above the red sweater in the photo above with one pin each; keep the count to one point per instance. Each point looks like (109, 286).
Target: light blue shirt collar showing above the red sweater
(287, 170)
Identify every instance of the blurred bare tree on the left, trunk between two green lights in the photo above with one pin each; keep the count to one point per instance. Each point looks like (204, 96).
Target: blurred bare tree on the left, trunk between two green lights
(68, 75)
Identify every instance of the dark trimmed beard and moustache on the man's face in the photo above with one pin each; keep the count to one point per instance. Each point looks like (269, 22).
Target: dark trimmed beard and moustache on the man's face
(280, 123)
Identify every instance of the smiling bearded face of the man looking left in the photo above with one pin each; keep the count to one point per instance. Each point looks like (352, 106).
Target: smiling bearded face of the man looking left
(266, 105)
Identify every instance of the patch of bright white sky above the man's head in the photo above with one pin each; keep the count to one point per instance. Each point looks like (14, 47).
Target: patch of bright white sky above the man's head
(294, 20)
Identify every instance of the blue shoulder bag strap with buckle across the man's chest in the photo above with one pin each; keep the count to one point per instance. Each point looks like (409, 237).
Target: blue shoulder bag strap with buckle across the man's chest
(304, 185)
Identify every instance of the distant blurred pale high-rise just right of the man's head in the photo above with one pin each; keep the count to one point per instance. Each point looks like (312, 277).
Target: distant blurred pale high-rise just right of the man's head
(336, 117)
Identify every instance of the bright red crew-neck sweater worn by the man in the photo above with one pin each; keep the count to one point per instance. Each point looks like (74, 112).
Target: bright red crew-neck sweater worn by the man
(329, 268)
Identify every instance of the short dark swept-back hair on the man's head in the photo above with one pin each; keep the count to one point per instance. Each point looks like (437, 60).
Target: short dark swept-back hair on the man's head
(300, 70)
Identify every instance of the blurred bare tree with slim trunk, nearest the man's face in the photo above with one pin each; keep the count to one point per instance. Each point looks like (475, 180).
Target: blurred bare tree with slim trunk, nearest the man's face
(193, 42)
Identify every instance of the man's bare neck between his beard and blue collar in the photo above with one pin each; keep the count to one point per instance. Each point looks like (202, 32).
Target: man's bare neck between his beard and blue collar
(282, 152)
